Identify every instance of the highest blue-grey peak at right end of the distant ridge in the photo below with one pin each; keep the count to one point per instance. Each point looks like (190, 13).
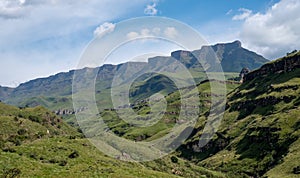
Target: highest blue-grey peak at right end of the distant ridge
(232, 57)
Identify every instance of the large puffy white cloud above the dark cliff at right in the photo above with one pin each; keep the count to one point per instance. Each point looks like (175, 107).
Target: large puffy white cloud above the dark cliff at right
(275, 32)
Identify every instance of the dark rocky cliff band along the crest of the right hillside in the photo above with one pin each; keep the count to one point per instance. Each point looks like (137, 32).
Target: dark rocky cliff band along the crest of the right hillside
(285, 64)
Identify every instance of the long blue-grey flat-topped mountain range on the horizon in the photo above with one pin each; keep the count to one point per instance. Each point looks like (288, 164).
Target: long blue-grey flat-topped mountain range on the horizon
(56, 88)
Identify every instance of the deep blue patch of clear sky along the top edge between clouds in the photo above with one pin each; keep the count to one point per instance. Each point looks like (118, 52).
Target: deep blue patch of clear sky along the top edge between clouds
(198, 12)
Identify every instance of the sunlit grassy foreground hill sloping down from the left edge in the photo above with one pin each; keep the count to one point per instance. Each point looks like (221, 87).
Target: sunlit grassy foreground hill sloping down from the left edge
(27, 150)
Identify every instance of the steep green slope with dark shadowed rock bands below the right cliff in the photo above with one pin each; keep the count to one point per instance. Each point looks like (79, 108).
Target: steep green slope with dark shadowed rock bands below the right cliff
(260, 130)
